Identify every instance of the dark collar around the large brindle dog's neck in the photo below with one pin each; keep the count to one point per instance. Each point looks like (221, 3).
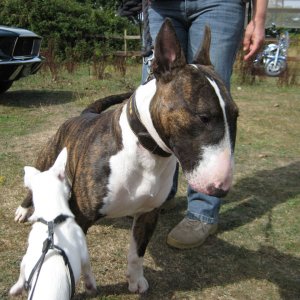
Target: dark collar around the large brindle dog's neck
(140, 130)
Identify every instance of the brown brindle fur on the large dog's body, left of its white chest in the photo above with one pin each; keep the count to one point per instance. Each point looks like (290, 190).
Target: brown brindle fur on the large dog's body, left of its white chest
(88, 159)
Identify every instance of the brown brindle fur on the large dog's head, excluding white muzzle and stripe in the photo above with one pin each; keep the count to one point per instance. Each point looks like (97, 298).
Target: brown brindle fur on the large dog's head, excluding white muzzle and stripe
(175, 104)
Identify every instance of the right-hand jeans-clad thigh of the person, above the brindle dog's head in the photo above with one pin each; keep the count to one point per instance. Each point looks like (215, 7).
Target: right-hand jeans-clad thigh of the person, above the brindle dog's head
(226, 22)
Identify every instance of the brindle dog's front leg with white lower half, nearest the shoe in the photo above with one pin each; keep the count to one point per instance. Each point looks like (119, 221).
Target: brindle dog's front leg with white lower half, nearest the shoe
(142, 230)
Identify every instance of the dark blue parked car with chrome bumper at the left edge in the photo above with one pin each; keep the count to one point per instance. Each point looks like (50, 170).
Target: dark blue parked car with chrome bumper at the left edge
(19, 55)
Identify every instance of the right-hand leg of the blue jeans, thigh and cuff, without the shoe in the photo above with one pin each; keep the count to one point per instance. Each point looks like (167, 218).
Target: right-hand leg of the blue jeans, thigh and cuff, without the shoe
(226, 20)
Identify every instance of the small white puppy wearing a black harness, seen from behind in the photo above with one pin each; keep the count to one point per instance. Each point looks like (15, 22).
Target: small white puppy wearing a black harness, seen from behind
(57, 247)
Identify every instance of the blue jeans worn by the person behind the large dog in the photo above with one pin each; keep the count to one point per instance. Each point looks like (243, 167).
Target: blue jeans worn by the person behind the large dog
(189, 17)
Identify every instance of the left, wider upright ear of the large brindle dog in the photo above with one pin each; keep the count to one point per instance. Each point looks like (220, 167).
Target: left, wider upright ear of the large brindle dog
(168, 53)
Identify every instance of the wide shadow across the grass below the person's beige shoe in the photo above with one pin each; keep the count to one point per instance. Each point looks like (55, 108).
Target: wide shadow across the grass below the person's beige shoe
(218, 263)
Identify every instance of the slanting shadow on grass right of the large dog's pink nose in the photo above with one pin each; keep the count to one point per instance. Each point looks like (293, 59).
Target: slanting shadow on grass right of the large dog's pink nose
(259, 194)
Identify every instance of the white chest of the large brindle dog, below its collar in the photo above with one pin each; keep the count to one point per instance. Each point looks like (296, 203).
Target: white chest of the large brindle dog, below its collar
(139, 181)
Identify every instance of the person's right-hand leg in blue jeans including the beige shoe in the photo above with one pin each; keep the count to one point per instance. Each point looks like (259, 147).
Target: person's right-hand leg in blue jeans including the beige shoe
(226, 20)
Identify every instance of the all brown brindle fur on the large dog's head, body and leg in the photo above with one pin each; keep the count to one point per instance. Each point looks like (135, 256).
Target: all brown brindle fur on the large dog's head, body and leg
(185, 111)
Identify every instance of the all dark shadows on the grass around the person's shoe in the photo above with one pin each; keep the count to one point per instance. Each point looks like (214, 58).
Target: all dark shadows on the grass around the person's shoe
(217, 262)
